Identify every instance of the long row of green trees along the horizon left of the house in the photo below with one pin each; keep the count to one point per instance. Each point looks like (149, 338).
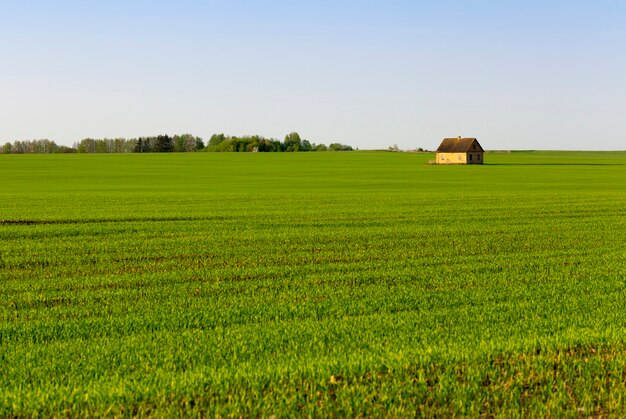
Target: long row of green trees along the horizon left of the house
(176, 143)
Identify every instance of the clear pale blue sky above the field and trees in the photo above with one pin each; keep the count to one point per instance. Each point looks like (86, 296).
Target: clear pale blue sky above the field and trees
(522, 74)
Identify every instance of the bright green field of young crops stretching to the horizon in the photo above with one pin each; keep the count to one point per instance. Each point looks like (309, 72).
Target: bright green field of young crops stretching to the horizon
(341, 284)
